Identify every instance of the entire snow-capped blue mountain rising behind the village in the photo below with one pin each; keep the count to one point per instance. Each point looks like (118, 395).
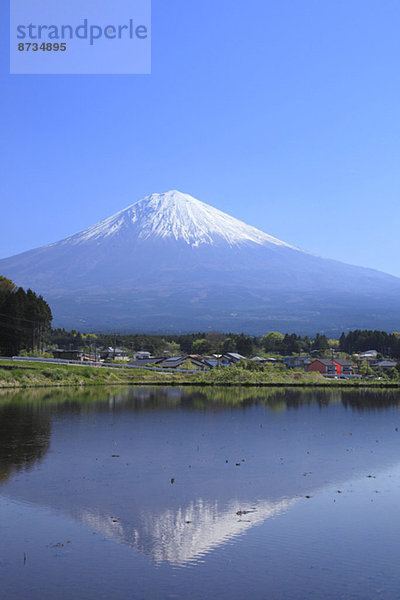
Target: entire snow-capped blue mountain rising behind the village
(170, 263)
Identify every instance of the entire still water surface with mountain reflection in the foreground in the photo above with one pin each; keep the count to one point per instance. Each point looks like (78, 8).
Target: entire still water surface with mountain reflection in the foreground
(157, 493)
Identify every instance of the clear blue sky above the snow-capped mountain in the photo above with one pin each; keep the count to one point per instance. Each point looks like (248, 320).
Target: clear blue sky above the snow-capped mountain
(283, 113)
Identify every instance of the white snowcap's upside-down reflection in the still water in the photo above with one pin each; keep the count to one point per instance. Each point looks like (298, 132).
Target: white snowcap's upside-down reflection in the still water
(186, 534)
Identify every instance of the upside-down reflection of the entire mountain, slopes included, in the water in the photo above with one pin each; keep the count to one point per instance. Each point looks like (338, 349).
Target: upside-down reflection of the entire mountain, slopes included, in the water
(257, 451)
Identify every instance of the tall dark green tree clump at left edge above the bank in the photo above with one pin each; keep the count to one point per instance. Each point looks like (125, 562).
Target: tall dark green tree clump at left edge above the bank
(25, 319)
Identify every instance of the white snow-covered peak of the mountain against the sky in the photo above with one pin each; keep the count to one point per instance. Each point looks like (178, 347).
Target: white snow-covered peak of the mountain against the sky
(176, 216)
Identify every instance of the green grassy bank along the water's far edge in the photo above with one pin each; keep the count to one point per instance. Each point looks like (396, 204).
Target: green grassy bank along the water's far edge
(31, 374)
